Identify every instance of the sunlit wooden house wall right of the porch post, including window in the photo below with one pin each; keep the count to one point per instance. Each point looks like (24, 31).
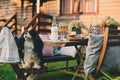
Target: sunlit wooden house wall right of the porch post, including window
(88, 11)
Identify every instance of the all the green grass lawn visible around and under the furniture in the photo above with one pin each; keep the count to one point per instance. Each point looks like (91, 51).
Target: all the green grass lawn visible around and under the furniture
(6, 73)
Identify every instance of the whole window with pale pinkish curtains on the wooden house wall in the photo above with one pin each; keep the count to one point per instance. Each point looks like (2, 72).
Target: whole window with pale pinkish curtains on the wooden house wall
(78, 6)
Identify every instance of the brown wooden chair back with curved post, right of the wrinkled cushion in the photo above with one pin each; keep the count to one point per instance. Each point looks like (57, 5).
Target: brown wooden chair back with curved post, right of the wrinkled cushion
(111, 38)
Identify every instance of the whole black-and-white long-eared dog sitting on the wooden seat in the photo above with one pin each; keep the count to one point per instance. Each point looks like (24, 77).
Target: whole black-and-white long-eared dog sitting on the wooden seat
(31, 46)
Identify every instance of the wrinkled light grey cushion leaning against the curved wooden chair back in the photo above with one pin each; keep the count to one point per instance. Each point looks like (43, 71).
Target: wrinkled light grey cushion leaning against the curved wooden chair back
(92, 53)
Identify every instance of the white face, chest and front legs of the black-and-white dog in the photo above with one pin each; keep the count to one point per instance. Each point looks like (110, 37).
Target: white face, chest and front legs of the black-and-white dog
(31, 60)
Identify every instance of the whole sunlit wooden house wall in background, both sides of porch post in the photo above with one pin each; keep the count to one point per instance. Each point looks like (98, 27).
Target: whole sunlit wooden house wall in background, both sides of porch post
(65, 10)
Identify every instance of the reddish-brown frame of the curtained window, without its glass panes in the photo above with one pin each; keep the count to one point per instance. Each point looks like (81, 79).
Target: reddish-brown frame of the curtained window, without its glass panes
(81, 9)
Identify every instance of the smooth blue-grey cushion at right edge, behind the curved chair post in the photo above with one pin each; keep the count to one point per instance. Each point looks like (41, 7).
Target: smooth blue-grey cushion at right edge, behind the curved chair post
(111, 61)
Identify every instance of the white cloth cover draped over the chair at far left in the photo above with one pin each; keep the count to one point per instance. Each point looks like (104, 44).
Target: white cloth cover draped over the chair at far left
(8, 47)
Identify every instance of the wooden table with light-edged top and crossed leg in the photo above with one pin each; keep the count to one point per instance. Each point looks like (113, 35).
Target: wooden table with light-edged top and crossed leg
(70, 43)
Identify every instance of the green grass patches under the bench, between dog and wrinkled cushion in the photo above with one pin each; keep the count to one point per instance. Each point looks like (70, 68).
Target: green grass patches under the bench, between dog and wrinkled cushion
(60, 75)
